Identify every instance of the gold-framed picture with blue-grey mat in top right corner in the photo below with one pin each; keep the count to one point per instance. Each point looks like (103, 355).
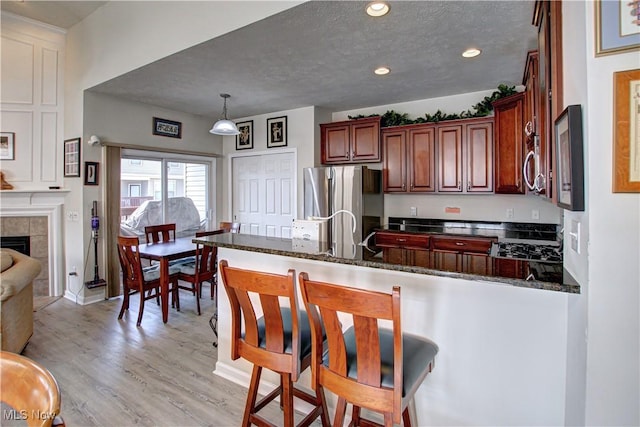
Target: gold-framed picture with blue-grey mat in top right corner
(617, 26)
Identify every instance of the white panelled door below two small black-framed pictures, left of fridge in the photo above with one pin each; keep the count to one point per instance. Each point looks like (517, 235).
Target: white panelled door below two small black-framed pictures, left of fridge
(263, 194)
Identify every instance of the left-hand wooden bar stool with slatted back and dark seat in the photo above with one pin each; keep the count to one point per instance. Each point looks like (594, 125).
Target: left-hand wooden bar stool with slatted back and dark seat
(276, 337)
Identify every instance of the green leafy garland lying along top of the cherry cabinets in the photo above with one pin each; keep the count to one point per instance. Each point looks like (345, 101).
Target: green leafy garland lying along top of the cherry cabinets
(481, 109)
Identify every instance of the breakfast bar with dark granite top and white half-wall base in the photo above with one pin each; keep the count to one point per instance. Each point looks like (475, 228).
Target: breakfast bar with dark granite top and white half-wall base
(503, 342)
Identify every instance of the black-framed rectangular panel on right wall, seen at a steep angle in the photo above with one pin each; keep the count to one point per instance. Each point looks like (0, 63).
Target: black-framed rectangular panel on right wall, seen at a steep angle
(569, 158)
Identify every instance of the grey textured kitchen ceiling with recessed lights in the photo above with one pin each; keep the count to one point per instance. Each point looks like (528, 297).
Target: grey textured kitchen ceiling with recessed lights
(322, 53)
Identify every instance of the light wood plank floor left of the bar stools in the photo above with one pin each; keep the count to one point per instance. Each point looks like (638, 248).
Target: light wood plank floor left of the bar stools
(112, 373)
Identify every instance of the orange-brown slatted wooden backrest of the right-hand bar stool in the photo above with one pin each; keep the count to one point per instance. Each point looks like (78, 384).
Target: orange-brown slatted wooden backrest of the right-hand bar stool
(364, 388)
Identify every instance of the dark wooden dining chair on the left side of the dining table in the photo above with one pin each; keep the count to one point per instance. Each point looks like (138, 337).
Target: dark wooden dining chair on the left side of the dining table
(145, 280)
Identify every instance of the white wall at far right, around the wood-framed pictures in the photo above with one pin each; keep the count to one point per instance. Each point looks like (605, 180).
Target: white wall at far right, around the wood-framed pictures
(613, 253)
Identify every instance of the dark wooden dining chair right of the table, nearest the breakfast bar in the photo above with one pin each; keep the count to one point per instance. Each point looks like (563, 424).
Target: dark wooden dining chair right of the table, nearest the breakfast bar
(202, 269)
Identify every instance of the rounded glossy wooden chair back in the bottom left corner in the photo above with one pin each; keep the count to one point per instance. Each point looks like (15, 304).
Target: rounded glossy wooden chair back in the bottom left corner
(30, 390)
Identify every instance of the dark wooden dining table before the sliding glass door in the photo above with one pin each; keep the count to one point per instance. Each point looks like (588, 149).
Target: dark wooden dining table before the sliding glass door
(165, 252)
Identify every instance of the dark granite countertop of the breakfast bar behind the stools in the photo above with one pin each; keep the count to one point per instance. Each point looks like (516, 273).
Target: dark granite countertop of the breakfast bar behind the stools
(352, 254)
